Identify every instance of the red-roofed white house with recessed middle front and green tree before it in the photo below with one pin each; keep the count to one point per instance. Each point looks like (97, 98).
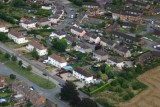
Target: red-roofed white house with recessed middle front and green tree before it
(41, 50)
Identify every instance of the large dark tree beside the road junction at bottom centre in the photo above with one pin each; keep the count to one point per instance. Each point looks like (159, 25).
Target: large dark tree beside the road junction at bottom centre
(68, 91)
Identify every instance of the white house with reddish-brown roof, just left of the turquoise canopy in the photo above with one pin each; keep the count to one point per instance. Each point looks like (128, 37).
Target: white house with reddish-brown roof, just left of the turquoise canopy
(57, 61)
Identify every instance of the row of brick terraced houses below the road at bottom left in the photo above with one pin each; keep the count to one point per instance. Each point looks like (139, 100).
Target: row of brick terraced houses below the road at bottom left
(22, 88)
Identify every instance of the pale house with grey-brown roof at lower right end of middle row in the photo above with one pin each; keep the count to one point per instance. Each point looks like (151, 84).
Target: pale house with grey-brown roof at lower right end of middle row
(115, 61)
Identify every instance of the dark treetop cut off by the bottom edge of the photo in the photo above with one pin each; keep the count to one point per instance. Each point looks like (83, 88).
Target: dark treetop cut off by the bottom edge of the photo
(86, 102)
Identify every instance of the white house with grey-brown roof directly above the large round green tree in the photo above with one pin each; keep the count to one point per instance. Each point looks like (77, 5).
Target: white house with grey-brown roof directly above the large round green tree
(57, 33)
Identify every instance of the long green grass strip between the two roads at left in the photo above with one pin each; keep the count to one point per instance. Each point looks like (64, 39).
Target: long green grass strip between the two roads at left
(41, 82)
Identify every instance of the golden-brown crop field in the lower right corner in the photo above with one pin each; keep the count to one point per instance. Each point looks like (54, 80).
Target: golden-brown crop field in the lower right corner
(151, 96)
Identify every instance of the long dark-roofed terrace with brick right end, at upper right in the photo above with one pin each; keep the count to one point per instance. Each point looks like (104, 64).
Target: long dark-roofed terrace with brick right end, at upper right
(126, 37)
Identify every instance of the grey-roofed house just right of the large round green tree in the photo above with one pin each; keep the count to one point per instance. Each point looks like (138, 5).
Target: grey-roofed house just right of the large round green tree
(82, 47)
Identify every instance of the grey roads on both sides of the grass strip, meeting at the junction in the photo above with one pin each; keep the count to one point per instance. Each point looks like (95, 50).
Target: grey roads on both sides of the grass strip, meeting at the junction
(50, 94)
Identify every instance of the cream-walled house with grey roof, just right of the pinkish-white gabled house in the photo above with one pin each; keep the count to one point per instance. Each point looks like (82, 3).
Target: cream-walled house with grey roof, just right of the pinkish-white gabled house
(107, 43)
